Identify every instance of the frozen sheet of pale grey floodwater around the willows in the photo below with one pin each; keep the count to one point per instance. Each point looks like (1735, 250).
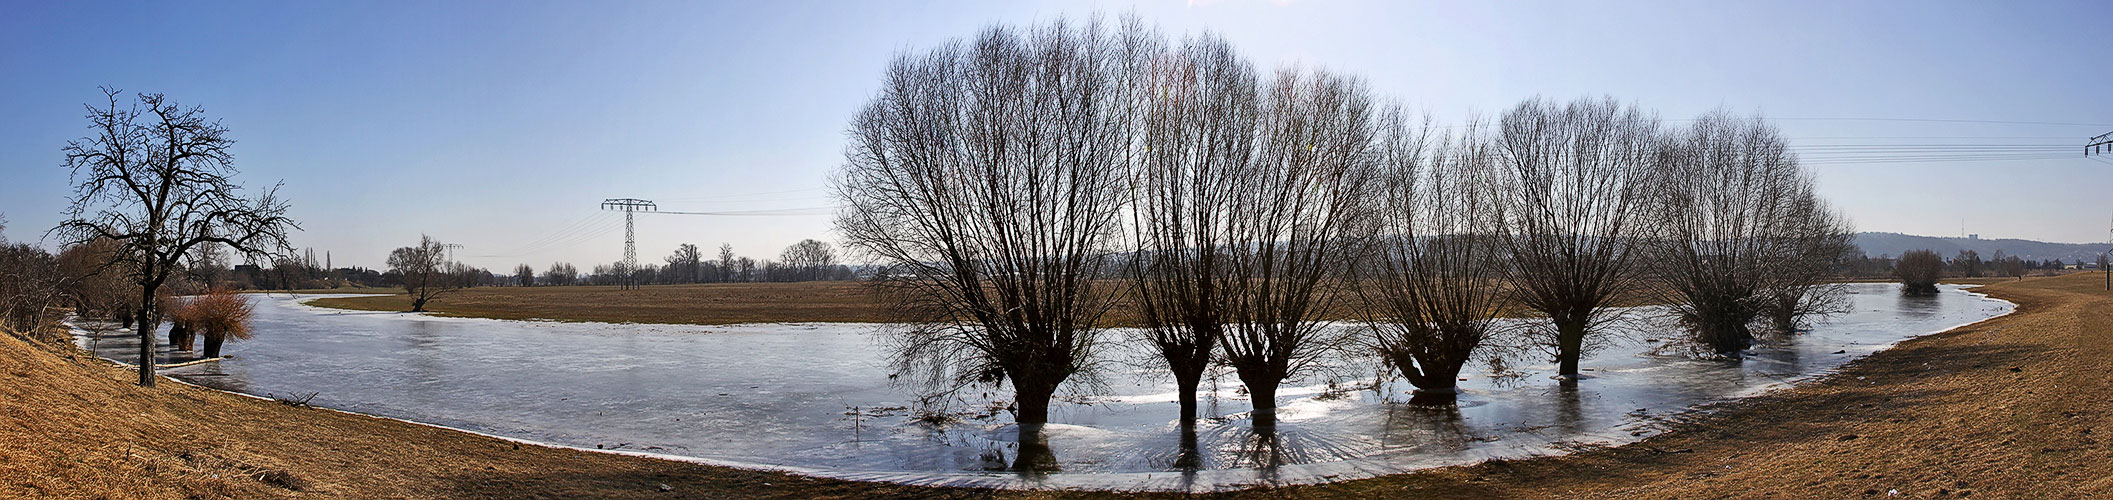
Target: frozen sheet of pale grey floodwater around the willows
(817, 400)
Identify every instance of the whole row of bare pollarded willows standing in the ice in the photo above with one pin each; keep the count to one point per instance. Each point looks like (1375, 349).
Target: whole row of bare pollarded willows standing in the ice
(996, 180)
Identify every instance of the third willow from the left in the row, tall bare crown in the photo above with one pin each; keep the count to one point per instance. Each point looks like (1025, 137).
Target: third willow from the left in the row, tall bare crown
(1296, 227)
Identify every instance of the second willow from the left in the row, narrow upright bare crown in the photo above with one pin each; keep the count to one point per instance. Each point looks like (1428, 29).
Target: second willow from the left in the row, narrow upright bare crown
(1197, 138)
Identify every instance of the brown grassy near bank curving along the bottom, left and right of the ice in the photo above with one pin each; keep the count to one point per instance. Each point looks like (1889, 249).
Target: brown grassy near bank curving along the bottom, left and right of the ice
(2008, 408)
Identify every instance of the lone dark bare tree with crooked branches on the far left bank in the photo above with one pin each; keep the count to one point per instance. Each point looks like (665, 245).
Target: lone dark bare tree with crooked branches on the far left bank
(160, 180)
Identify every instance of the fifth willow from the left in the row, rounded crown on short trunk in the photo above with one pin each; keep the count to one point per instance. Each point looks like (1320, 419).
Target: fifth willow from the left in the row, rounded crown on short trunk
(1571, 195)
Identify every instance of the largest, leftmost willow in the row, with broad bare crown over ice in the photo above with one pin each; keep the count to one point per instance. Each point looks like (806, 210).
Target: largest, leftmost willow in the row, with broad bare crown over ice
(988, 178)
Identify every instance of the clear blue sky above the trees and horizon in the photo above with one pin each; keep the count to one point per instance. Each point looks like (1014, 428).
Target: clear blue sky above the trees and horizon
(502, 126)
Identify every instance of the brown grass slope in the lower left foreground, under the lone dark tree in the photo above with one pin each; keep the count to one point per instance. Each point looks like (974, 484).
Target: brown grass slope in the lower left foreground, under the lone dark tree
(73, 427)
